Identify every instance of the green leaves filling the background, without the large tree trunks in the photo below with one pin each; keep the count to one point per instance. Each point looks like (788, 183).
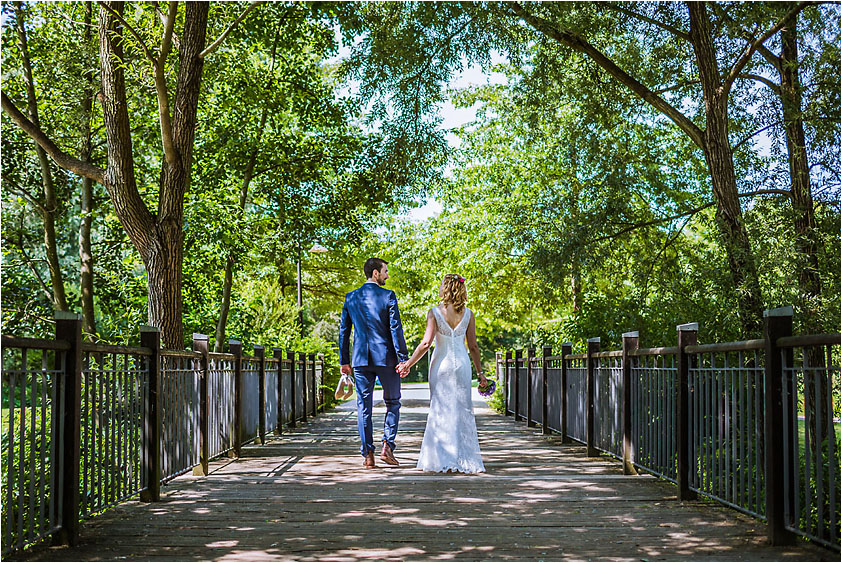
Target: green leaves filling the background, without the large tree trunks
(572, 208)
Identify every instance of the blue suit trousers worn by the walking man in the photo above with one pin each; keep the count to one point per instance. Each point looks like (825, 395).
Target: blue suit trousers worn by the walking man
(364, 382)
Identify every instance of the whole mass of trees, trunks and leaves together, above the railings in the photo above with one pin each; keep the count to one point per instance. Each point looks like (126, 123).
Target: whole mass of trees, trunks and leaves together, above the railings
(639, 165)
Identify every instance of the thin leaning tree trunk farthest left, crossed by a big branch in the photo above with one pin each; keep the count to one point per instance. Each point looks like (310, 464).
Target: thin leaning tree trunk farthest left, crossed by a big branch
(50, 203)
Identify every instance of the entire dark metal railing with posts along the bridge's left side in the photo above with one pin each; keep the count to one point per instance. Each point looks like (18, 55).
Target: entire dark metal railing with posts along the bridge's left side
(87, 426)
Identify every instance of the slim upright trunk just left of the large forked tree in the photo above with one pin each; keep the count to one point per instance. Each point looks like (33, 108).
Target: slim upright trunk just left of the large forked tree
(86, 261)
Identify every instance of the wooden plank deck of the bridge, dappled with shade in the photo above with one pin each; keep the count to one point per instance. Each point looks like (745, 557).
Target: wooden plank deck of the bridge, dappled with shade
(304, 496)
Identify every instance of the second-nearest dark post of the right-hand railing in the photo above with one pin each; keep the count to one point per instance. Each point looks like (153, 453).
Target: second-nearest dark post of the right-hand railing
(687, 336)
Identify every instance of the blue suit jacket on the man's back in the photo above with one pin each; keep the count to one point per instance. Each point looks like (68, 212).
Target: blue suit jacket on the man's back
(378, 334)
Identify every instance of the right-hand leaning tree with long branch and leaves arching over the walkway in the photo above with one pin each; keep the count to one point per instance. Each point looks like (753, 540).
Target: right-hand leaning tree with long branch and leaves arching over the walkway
(412, 61)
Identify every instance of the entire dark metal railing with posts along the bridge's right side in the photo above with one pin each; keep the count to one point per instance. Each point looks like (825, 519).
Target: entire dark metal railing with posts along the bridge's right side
(752, 424)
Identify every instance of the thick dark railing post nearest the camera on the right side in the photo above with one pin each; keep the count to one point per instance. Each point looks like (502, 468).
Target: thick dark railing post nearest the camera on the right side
(777, 323)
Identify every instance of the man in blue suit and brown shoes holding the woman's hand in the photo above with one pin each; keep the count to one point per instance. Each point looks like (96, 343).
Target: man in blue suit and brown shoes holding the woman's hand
(378, 348)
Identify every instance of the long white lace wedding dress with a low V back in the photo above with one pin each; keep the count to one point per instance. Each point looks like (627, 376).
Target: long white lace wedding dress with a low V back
(450, 437)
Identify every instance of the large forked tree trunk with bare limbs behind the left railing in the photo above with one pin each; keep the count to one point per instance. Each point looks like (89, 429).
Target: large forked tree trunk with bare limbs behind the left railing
(158, 237)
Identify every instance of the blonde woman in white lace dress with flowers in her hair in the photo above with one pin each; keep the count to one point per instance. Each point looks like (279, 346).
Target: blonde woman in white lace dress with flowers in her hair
(450, 437)
